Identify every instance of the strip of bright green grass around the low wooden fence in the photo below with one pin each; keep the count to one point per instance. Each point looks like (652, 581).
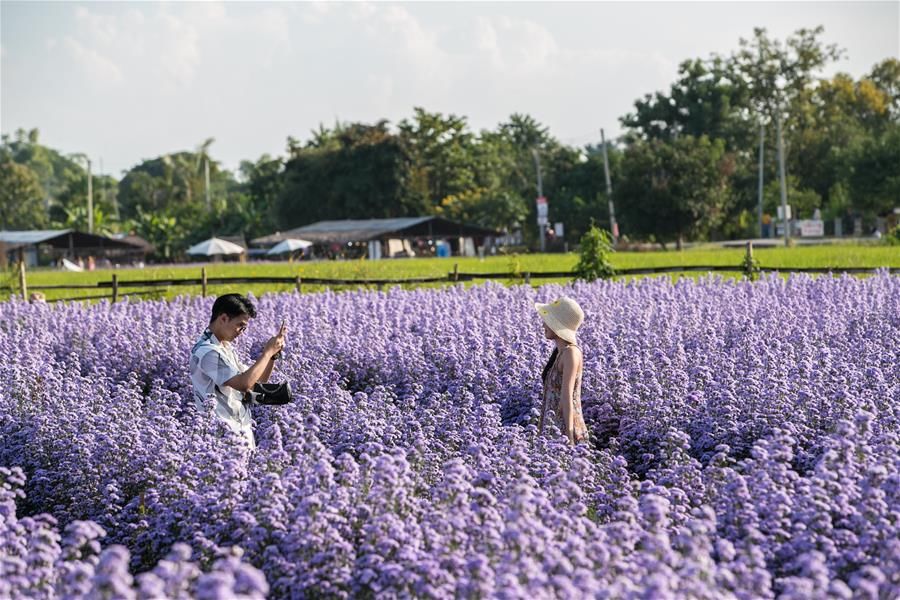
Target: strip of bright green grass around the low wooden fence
(868, 256)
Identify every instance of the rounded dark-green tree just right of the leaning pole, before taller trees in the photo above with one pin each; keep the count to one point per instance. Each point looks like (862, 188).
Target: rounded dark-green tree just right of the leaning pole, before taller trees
(672, 190)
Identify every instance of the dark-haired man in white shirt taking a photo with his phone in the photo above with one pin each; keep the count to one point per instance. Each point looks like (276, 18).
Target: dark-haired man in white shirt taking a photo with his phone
(216, 372)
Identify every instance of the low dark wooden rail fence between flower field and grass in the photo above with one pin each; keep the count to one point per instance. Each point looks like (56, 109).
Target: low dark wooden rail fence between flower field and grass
(114, 285)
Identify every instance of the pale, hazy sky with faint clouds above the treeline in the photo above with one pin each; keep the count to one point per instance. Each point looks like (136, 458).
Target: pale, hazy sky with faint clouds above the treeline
(125, 81)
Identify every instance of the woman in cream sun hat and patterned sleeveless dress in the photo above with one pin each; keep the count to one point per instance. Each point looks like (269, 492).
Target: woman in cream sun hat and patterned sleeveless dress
(561, 399)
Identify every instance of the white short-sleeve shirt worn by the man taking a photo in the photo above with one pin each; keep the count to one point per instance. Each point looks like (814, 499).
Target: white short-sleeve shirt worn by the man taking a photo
(212, 364)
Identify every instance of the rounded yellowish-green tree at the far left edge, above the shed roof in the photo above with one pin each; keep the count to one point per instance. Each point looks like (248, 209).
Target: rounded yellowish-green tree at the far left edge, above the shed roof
(21, 198)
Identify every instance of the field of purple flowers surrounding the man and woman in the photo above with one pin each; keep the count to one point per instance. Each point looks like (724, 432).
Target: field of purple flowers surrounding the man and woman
(745, 443)
